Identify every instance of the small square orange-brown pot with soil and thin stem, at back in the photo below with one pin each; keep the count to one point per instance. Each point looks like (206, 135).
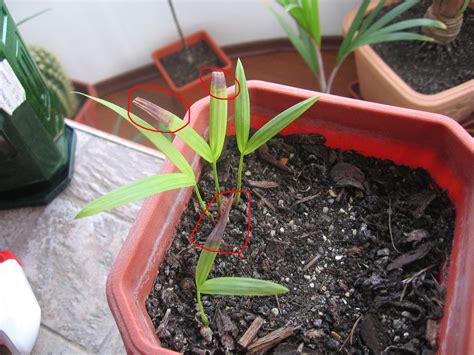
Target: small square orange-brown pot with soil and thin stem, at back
(180, 62)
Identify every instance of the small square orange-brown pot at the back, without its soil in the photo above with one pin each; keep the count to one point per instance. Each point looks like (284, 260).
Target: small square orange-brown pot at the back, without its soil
(193, 90)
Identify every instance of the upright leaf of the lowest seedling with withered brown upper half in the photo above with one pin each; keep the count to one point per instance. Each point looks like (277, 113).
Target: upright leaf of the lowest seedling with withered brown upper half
(213, 242)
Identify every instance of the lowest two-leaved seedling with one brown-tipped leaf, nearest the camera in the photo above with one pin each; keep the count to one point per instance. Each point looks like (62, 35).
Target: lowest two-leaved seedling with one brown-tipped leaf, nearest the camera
(227, 286)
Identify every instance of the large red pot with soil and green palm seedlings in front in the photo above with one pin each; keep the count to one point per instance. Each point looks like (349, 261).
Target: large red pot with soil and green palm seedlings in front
(142, 301)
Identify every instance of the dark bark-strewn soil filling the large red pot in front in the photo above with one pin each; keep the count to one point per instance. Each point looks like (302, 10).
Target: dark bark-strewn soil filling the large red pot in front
(339, 210)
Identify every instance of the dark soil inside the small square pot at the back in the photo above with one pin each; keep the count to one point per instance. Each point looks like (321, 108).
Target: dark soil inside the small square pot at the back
(183, 66)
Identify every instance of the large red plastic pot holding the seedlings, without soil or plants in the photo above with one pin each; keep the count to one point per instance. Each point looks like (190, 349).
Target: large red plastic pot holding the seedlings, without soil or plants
(404, 136)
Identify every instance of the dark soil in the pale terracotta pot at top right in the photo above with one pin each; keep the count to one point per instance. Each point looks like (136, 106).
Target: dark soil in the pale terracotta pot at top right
(428, 67)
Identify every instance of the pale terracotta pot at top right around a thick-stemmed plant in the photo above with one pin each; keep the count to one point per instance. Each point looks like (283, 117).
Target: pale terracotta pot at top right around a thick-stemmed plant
(379, 83)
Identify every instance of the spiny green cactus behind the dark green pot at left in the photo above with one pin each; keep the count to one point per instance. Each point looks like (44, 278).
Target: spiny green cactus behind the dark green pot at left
(55, 78)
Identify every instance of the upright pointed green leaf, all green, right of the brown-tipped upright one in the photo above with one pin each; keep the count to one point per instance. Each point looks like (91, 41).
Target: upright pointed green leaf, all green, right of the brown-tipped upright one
(242, 108)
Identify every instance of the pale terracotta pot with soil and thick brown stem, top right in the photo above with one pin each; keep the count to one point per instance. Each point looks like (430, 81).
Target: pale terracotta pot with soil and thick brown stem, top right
(436, 78)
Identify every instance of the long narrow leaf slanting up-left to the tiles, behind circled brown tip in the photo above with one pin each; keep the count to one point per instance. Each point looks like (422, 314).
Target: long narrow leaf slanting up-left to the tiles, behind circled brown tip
(158, 139)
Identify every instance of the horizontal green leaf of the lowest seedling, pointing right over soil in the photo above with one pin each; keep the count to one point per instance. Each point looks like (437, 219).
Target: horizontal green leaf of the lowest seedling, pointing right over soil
(241, 286)
